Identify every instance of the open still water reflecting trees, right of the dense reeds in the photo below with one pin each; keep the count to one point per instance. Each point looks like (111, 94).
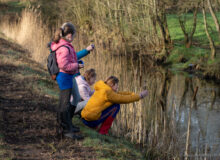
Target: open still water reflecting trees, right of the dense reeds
(198, 118)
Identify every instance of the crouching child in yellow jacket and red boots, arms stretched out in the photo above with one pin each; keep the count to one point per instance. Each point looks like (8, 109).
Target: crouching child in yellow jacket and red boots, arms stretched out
(103, 105)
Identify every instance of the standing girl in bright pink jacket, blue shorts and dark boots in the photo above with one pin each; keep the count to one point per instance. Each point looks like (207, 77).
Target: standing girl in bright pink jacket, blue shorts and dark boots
(68, 65)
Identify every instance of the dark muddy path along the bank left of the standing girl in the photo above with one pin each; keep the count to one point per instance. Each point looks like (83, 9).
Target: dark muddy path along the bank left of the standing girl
(28, 119)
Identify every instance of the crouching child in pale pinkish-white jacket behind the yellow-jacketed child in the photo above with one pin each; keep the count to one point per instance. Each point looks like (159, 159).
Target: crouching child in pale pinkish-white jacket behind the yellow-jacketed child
(84, 82)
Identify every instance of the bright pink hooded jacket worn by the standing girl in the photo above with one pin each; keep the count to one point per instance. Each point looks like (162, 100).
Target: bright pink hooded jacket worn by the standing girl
(67, 62)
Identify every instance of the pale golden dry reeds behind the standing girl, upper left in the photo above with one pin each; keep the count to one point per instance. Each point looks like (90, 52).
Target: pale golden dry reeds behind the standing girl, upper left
(30, 32)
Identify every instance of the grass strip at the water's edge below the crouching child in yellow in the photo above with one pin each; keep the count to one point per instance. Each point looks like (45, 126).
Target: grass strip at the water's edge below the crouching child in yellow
(108, 147)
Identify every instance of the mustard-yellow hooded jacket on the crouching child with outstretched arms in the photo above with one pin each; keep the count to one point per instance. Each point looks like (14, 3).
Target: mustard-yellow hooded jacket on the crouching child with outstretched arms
(104, 97)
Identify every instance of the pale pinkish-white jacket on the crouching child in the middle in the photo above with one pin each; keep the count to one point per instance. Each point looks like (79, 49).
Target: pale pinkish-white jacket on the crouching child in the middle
(84, 88)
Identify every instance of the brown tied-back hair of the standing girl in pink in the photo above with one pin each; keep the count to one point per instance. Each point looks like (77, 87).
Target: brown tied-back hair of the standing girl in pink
(65, 29)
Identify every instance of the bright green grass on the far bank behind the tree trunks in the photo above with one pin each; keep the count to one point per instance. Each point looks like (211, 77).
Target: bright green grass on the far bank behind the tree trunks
(199, 52)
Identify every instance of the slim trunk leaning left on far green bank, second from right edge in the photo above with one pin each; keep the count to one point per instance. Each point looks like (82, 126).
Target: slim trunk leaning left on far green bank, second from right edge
(211, 43)
